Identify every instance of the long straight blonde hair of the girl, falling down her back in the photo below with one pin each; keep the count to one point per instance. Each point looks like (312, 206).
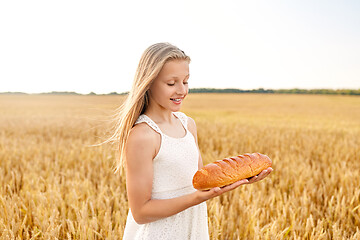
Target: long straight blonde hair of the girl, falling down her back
(151, 62)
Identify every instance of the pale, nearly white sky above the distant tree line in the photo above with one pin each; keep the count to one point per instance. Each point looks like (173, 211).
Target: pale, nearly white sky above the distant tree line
(95, 46)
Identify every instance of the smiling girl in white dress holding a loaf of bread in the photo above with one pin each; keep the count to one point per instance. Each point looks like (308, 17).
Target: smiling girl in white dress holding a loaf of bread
(159, 150)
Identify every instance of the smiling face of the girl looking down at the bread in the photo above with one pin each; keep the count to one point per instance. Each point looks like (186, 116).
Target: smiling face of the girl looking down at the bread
(170, 87)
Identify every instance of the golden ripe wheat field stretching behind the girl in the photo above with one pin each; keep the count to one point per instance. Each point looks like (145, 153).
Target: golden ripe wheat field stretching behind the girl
(55, 185)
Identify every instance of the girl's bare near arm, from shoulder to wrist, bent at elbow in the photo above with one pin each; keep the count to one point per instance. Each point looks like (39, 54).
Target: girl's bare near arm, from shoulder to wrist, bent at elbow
(140, 151)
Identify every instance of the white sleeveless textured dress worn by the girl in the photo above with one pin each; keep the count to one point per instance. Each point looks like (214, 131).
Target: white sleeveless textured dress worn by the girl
(174, 167)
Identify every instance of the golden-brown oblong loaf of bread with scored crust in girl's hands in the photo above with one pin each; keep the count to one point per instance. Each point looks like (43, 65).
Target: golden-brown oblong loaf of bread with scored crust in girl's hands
(229, 170)
